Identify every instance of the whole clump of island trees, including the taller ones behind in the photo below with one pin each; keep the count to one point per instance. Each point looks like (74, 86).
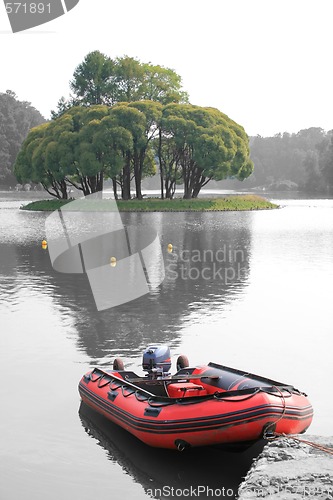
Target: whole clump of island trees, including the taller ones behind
(124, 120)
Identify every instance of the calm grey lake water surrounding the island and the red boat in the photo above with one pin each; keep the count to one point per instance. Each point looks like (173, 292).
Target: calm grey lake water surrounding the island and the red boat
(251, 290)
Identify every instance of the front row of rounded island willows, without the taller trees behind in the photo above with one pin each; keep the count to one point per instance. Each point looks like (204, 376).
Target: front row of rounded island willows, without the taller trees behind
(86, 145)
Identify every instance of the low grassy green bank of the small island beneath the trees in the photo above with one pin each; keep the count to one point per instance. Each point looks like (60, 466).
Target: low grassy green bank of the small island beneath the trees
(226, 203)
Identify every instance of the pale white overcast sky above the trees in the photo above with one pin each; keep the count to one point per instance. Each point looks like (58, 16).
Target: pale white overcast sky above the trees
(265, 63)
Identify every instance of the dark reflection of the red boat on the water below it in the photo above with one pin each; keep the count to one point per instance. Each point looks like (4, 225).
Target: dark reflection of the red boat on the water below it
(154, 468)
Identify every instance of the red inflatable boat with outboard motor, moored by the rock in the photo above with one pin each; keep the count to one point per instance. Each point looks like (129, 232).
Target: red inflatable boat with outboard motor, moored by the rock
(200, 406)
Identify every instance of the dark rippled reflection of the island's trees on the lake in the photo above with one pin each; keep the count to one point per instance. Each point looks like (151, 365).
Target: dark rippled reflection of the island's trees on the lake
(157, 317)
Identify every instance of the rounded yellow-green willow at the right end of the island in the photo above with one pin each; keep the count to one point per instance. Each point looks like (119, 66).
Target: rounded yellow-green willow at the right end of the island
(203, 144)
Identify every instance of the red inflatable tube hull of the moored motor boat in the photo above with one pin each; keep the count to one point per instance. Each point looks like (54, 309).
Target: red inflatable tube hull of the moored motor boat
(223, 417)
